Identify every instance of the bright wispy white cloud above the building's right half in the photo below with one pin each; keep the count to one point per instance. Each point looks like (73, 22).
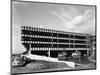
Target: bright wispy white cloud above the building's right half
(79, 22)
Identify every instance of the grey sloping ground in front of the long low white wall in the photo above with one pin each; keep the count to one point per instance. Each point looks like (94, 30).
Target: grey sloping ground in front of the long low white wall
(35, 66)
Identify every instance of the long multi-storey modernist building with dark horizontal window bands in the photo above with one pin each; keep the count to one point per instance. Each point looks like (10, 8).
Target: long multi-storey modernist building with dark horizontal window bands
(50, 42)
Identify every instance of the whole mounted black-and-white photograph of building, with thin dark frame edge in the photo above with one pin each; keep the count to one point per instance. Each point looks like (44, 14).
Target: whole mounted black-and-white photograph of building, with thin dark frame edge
(51, 37)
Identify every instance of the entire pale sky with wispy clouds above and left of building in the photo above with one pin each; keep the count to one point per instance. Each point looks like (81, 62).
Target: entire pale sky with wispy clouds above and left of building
(64, 17)
